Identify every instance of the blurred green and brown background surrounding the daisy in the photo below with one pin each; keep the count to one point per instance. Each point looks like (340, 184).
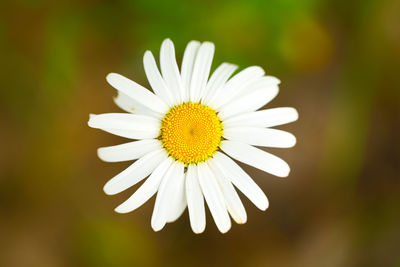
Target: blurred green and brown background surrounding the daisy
(339, 63)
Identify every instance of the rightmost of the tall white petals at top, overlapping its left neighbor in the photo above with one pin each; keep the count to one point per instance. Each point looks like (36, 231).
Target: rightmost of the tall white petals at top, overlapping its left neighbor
(201, 70)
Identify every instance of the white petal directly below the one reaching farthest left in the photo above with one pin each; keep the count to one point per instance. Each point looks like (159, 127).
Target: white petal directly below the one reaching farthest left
(128, 151)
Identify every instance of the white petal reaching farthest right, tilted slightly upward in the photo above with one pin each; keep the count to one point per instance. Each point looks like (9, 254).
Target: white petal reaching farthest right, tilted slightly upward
(263, 118)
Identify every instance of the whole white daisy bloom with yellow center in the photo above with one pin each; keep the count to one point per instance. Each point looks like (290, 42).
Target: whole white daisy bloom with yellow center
(187, 133)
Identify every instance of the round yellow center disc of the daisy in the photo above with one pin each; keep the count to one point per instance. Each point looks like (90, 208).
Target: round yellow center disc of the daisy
(191, 132)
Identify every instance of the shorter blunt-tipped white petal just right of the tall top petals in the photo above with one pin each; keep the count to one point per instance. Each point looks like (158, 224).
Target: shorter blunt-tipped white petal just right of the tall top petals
(217, 81)
